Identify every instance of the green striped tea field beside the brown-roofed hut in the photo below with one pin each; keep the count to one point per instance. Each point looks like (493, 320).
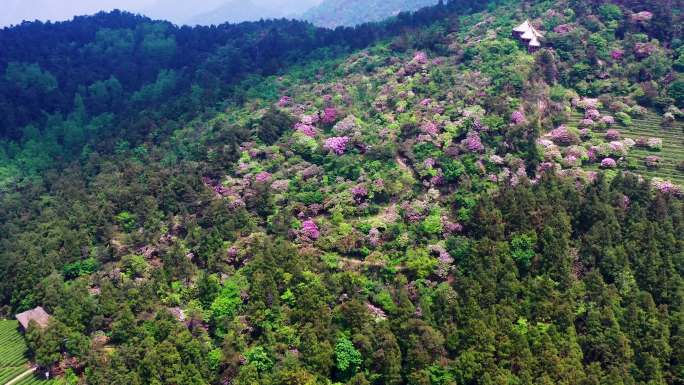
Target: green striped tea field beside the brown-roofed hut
(13, 361)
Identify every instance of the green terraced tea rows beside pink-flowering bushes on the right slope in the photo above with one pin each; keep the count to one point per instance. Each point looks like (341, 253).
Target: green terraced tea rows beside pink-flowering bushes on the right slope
(671, 154)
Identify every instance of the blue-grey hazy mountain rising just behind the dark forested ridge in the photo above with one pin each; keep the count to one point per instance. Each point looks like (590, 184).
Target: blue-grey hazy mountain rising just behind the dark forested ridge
(334, 13)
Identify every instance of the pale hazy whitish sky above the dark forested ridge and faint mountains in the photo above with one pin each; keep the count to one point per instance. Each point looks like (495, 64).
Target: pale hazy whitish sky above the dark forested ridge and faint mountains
(15, 11)
